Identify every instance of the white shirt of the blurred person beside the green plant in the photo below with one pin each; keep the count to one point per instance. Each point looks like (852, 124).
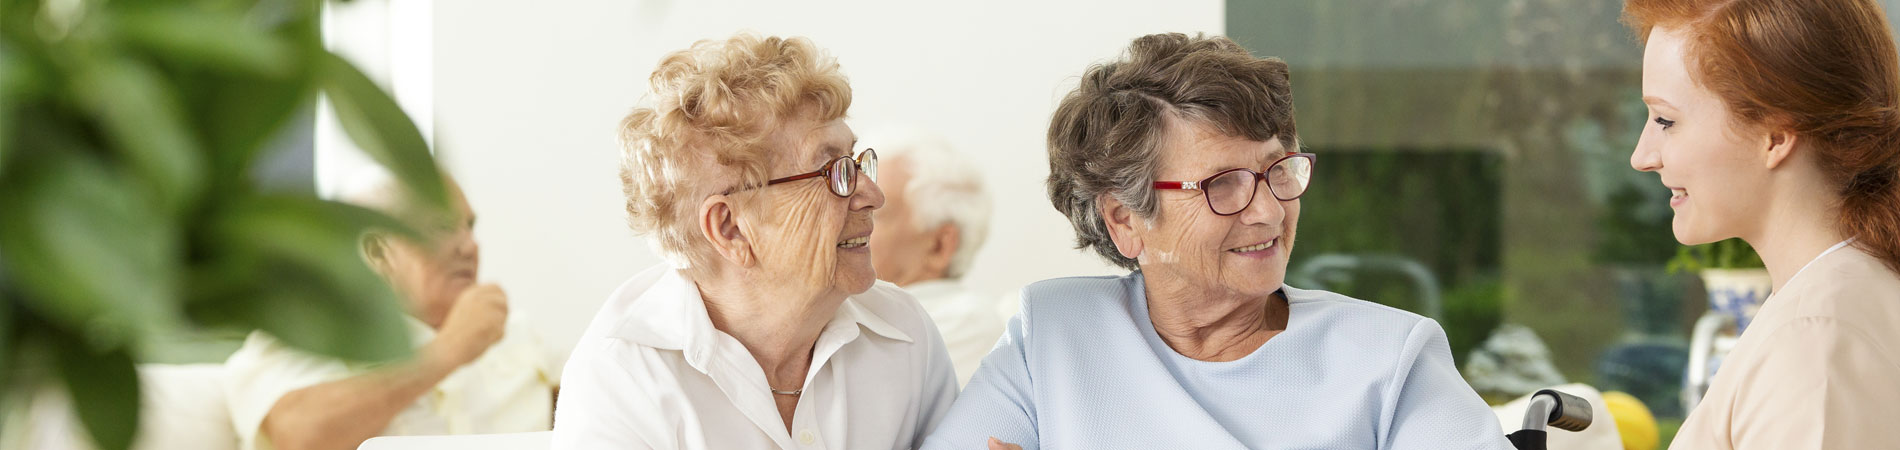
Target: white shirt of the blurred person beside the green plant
(506, 390)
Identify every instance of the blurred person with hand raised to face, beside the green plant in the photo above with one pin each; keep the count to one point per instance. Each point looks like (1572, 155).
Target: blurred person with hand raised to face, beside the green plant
(474, 369)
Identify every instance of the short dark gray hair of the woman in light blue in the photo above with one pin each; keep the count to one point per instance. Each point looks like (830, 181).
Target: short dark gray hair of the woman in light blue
(1105, 136)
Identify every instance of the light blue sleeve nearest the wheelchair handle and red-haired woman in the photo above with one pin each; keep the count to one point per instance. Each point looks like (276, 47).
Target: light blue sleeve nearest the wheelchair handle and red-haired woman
(1435, 407)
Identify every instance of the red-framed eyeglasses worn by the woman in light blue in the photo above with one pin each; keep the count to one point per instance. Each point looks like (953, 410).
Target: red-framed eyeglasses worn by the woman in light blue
(1234, 189)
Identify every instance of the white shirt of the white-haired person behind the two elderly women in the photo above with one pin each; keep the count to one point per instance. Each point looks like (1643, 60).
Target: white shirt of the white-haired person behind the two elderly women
(966, 320)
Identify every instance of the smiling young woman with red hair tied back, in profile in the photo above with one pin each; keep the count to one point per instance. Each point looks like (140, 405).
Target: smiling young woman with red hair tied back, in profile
(1779, 122)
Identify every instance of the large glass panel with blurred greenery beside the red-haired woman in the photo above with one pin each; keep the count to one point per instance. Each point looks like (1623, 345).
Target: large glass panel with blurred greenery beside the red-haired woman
(1477, 172)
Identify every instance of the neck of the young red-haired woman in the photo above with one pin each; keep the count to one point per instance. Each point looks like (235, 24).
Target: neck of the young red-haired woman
(1795, 233)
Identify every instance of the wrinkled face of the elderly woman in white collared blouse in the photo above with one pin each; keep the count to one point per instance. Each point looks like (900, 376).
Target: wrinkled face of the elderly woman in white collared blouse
(801, 231)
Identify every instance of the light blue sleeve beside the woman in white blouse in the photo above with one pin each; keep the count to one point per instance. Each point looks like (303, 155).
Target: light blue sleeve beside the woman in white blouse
(997, 403)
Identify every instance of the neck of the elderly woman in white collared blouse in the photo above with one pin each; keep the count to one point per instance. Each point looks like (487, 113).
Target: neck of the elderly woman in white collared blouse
(774, 324)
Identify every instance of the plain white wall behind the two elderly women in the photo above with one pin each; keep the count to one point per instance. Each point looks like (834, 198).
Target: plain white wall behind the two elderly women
(527, 96)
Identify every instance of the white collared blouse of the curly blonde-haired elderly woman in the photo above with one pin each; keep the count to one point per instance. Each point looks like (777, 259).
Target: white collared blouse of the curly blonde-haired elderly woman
(653, 373)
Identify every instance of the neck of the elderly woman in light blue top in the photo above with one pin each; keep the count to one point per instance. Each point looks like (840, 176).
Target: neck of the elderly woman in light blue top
(1213, 326)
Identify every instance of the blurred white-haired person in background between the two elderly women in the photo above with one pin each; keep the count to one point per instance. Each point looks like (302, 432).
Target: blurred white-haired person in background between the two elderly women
(934, 221)
